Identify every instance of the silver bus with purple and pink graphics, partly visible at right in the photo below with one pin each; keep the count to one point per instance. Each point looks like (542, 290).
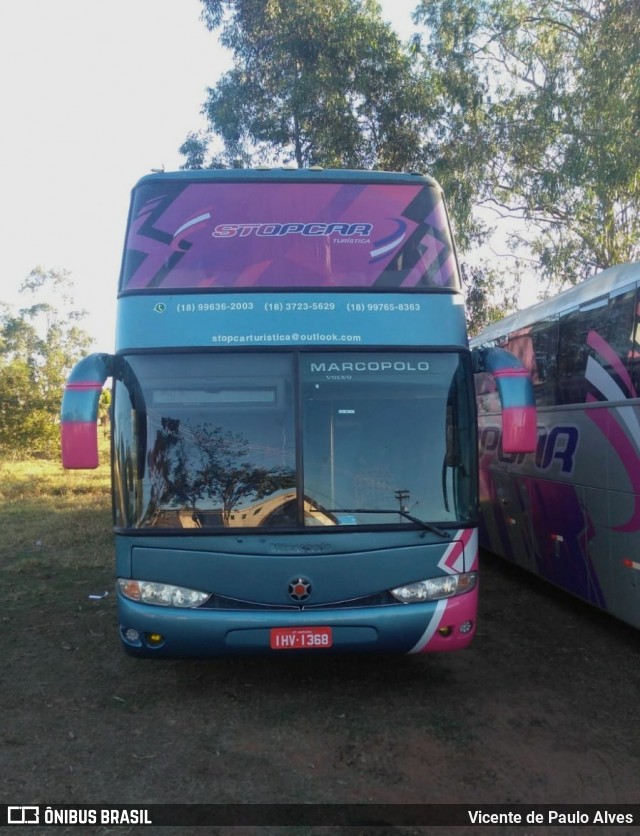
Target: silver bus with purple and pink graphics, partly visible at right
(570, 512)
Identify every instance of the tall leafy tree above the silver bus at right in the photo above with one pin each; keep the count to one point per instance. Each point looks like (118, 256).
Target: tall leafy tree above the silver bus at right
(545, 94)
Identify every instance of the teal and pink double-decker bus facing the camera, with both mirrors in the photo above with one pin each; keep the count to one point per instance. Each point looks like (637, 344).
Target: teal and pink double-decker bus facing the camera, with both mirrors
(294, 438)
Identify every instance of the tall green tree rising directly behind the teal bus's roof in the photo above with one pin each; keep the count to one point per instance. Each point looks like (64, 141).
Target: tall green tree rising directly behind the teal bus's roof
(314, 82)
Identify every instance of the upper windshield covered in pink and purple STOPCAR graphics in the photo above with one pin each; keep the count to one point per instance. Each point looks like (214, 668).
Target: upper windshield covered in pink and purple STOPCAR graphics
(208, 234)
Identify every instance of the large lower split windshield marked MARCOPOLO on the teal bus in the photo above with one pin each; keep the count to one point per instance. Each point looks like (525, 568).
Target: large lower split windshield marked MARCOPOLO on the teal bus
(318, 439)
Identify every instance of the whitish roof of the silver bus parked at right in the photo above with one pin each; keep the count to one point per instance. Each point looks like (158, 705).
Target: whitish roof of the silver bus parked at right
(600, 284)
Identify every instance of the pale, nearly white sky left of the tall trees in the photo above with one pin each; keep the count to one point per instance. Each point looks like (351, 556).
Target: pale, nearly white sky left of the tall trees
(94, 95)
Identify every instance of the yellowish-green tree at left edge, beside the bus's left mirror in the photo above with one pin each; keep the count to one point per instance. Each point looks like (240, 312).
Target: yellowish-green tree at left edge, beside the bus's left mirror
(38, 346)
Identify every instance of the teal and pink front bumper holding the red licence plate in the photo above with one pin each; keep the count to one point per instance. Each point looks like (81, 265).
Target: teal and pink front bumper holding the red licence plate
(169, 632)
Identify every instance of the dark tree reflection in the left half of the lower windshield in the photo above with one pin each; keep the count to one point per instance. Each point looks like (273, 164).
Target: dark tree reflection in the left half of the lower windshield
(190, 463)
